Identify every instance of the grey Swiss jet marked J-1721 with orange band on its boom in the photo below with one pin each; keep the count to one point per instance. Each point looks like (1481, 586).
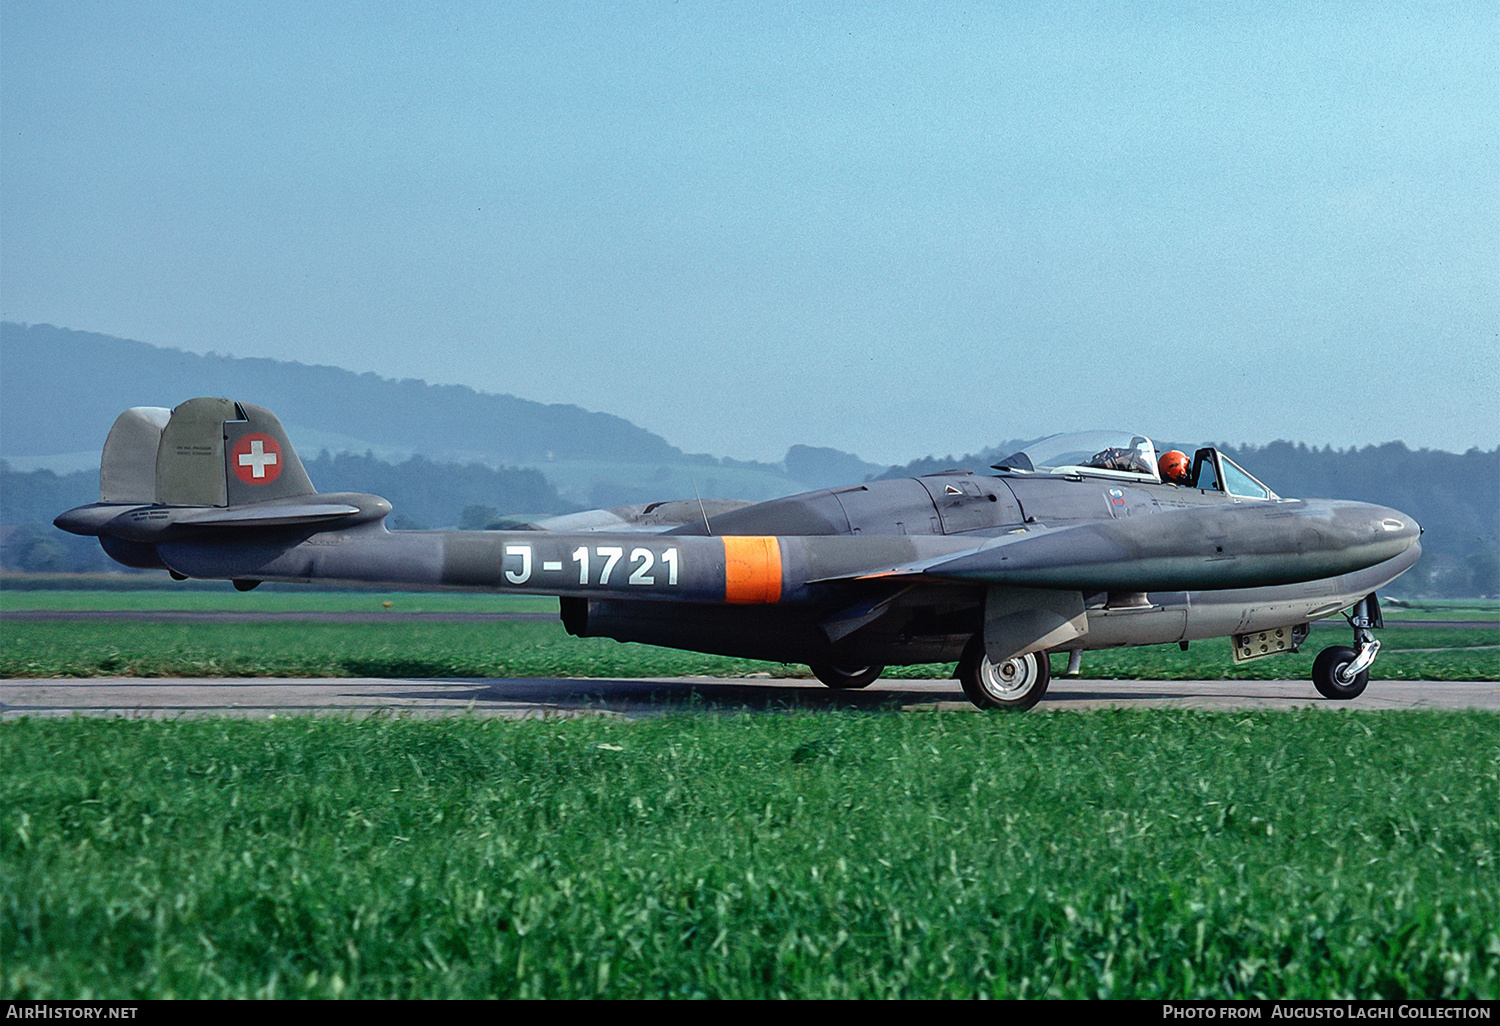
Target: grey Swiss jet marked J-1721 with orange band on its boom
(1078, 542)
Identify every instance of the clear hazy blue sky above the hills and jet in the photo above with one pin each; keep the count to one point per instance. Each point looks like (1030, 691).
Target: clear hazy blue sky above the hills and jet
(892, 229)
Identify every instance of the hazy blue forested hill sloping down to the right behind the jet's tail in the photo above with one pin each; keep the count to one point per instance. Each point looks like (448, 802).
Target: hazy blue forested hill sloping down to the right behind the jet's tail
(61, 391)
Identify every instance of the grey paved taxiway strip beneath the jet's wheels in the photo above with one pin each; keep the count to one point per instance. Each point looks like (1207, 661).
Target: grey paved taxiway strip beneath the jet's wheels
(173, 698)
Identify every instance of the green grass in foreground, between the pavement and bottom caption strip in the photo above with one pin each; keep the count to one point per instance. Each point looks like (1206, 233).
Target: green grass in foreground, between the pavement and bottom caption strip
(1102, 854)
